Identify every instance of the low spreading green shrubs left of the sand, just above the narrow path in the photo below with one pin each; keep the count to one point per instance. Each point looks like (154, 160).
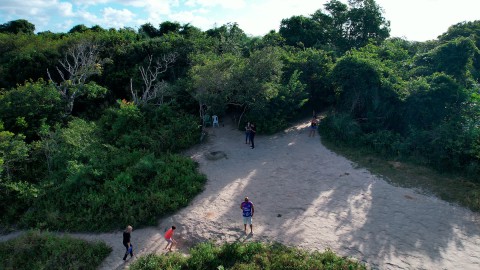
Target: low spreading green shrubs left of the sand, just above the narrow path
(97, 198)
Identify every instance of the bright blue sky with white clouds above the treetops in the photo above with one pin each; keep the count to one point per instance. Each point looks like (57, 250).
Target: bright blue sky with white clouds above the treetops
(418, 20)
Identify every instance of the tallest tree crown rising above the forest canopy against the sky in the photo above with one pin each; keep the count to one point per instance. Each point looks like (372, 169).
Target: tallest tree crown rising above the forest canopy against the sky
(339, 26)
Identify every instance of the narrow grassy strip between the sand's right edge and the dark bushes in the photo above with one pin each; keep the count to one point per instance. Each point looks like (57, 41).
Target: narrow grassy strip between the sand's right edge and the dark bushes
(406, 173)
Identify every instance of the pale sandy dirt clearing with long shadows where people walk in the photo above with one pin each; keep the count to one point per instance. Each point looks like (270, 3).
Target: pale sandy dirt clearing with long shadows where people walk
(308, 196)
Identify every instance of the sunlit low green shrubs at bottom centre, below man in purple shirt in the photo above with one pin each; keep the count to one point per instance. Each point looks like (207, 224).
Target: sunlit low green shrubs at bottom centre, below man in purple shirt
(253, 255)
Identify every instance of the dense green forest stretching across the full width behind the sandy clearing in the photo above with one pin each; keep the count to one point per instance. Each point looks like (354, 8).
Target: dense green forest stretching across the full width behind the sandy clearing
(92, 121)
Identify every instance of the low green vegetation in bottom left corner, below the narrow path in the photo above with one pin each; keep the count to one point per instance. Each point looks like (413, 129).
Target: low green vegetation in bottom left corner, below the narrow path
(41, 250)
